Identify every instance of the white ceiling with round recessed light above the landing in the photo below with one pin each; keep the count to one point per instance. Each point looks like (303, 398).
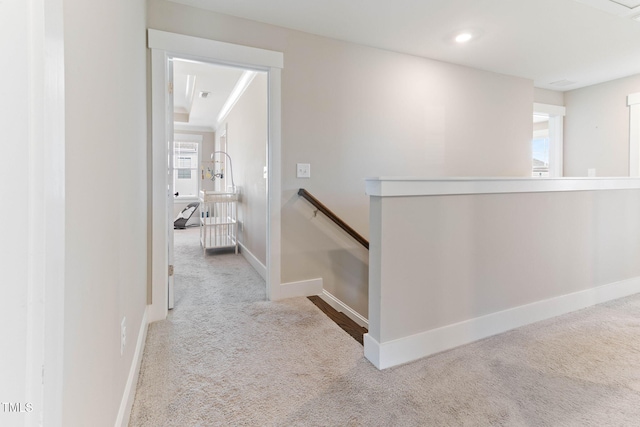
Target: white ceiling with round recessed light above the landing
(559, 44)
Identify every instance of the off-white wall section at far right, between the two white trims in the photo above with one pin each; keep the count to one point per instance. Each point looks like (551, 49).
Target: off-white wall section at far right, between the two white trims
(596, 132)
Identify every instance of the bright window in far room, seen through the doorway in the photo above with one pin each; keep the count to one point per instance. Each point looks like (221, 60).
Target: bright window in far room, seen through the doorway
(185, 169)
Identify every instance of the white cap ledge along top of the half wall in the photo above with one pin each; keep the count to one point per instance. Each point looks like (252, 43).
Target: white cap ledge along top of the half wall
(414, 186)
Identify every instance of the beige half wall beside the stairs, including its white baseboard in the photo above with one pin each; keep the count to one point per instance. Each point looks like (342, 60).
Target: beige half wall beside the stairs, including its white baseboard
(449, 269)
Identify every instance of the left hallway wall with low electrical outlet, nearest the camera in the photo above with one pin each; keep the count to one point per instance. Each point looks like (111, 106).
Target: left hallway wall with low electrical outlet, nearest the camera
(106, 218)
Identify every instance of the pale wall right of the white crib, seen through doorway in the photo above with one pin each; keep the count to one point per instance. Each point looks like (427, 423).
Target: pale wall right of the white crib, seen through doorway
(247, 128)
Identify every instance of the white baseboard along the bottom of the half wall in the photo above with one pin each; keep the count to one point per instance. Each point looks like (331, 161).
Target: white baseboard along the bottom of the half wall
(403, 350)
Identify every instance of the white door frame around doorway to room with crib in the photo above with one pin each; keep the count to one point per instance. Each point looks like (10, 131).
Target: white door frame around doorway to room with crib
(163, 46)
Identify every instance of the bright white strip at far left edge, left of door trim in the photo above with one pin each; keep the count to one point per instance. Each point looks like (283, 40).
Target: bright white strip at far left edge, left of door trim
(14, 245)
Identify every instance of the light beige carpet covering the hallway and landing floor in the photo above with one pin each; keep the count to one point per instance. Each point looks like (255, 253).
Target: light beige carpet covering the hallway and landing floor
(227, 357)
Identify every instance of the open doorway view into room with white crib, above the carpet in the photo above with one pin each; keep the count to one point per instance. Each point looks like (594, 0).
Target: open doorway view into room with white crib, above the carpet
(222, 112)
